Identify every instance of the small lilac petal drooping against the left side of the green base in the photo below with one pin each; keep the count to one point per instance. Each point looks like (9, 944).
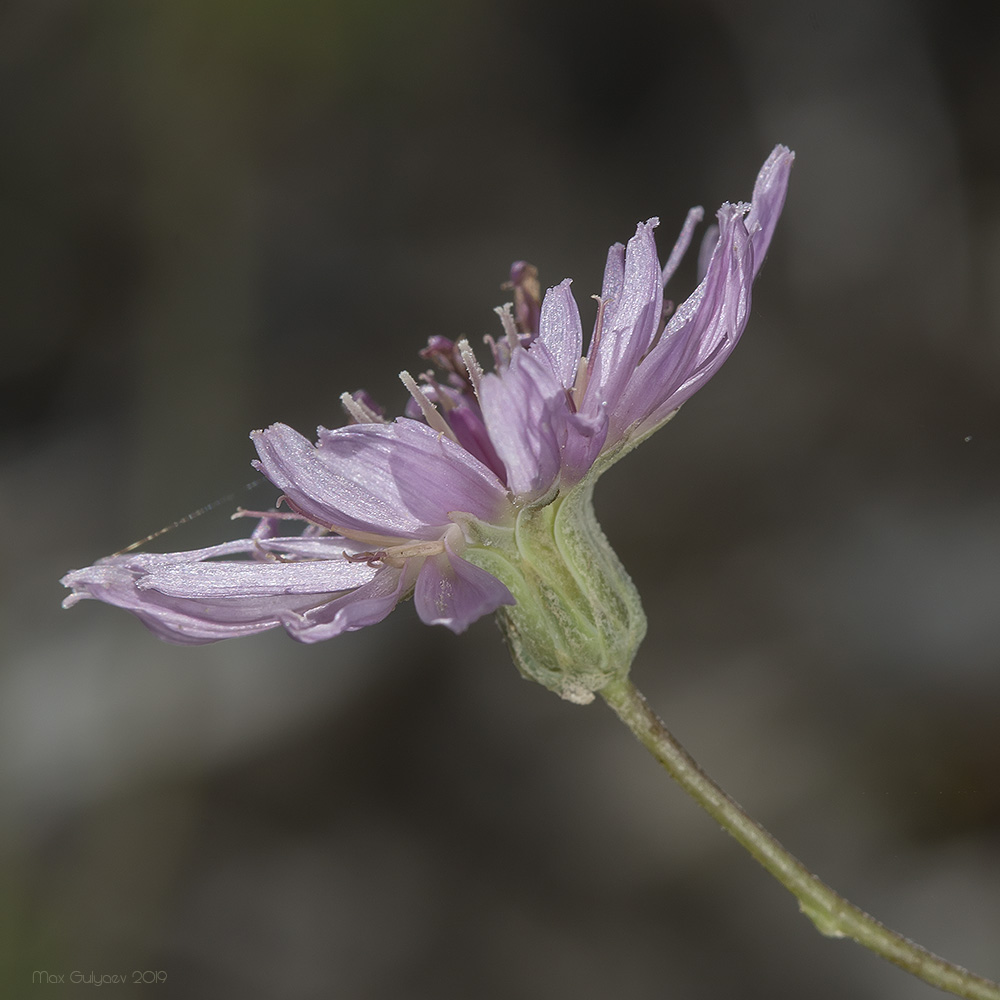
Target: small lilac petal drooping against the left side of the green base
(454, 593)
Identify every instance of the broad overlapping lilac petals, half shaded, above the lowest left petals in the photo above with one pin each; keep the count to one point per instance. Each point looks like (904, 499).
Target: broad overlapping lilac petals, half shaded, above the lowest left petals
(398, 480)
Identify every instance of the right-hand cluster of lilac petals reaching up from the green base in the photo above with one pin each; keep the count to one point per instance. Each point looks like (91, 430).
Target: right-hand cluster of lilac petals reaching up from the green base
(641, 365)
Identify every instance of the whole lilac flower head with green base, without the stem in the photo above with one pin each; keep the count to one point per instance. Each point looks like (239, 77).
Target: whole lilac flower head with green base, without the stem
(478, 498)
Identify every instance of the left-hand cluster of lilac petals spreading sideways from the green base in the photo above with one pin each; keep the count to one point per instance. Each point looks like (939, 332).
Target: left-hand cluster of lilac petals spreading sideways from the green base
(386, 490)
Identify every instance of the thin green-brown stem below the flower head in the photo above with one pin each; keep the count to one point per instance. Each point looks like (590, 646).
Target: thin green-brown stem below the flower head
(833, 915)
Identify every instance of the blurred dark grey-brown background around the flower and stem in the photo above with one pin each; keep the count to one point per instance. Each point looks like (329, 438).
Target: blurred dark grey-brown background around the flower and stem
(219, 214)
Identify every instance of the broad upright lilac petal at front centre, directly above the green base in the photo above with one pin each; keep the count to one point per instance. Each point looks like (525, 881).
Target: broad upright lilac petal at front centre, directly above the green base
(525, 411)
